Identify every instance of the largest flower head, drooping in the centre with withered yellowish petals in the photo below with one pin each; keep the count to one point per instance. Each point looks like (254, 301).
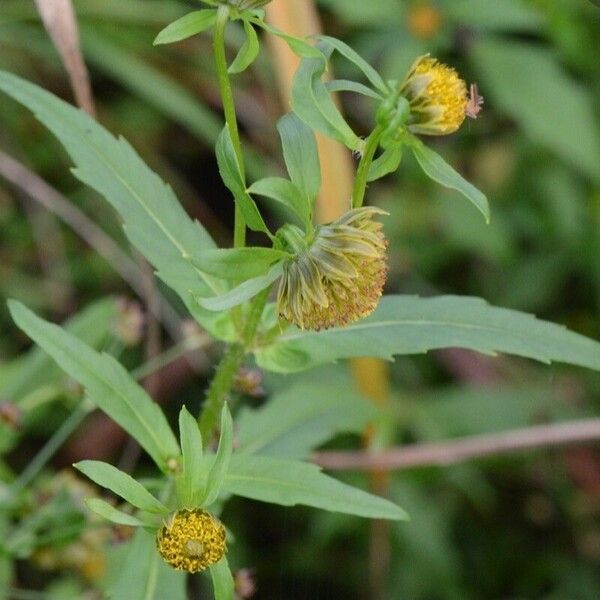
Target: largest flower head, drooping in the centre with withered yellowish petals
(338, 278)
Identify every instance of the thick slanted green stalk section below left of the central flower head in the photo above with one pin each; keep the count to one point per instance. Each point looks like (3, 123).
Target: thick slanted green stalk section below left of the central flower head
(228, 368)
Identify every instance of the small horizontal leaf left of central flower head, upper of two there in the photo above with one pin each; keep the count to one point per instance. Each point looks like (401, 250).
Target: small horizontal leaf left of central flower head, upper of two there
(239, 263)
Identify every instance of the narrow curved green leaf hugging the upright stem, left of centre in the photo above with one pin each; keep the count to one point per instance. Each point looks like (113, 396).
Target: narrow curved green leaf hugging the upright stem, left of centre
(232, 177)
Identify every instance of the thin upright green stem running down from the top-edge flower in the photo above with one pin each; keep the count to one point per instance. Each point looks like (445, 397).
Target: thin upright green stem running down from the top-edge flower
(239, 232)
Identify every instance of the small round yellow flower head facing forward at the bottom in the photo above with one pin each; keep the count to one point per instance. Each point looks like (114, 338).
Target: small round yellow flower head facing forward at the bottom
(192, 540)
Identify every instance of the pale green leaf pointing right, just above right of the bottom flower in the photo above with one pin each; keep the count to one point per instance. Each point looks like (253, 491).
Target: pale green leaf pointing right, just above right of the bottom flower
(289, 483)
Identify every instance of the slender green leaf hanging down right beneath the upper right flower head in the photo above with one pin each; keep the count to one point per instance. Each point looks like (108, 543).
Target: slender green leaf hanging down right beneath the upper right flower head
(439, 170)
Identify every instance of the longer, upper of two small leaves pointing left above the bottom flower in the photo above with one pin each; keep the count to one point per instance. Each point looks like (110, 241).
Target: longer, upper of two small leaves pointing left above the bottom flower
(122, 484)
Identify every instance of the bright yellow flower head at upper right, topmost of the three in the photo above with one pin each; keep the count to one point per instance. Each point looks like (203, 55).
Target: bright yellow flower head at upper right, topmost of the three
(437, 97)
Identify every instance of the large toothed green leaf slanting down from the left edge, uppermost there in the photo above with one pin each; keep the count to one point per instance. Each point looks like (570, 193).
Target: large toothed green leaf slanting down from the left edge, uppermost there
(154, 221)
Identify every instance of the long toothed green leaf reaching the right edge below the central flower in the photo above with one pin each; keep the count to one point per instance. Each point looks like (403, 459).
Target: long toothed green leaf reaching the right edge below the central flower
(413, 325)
